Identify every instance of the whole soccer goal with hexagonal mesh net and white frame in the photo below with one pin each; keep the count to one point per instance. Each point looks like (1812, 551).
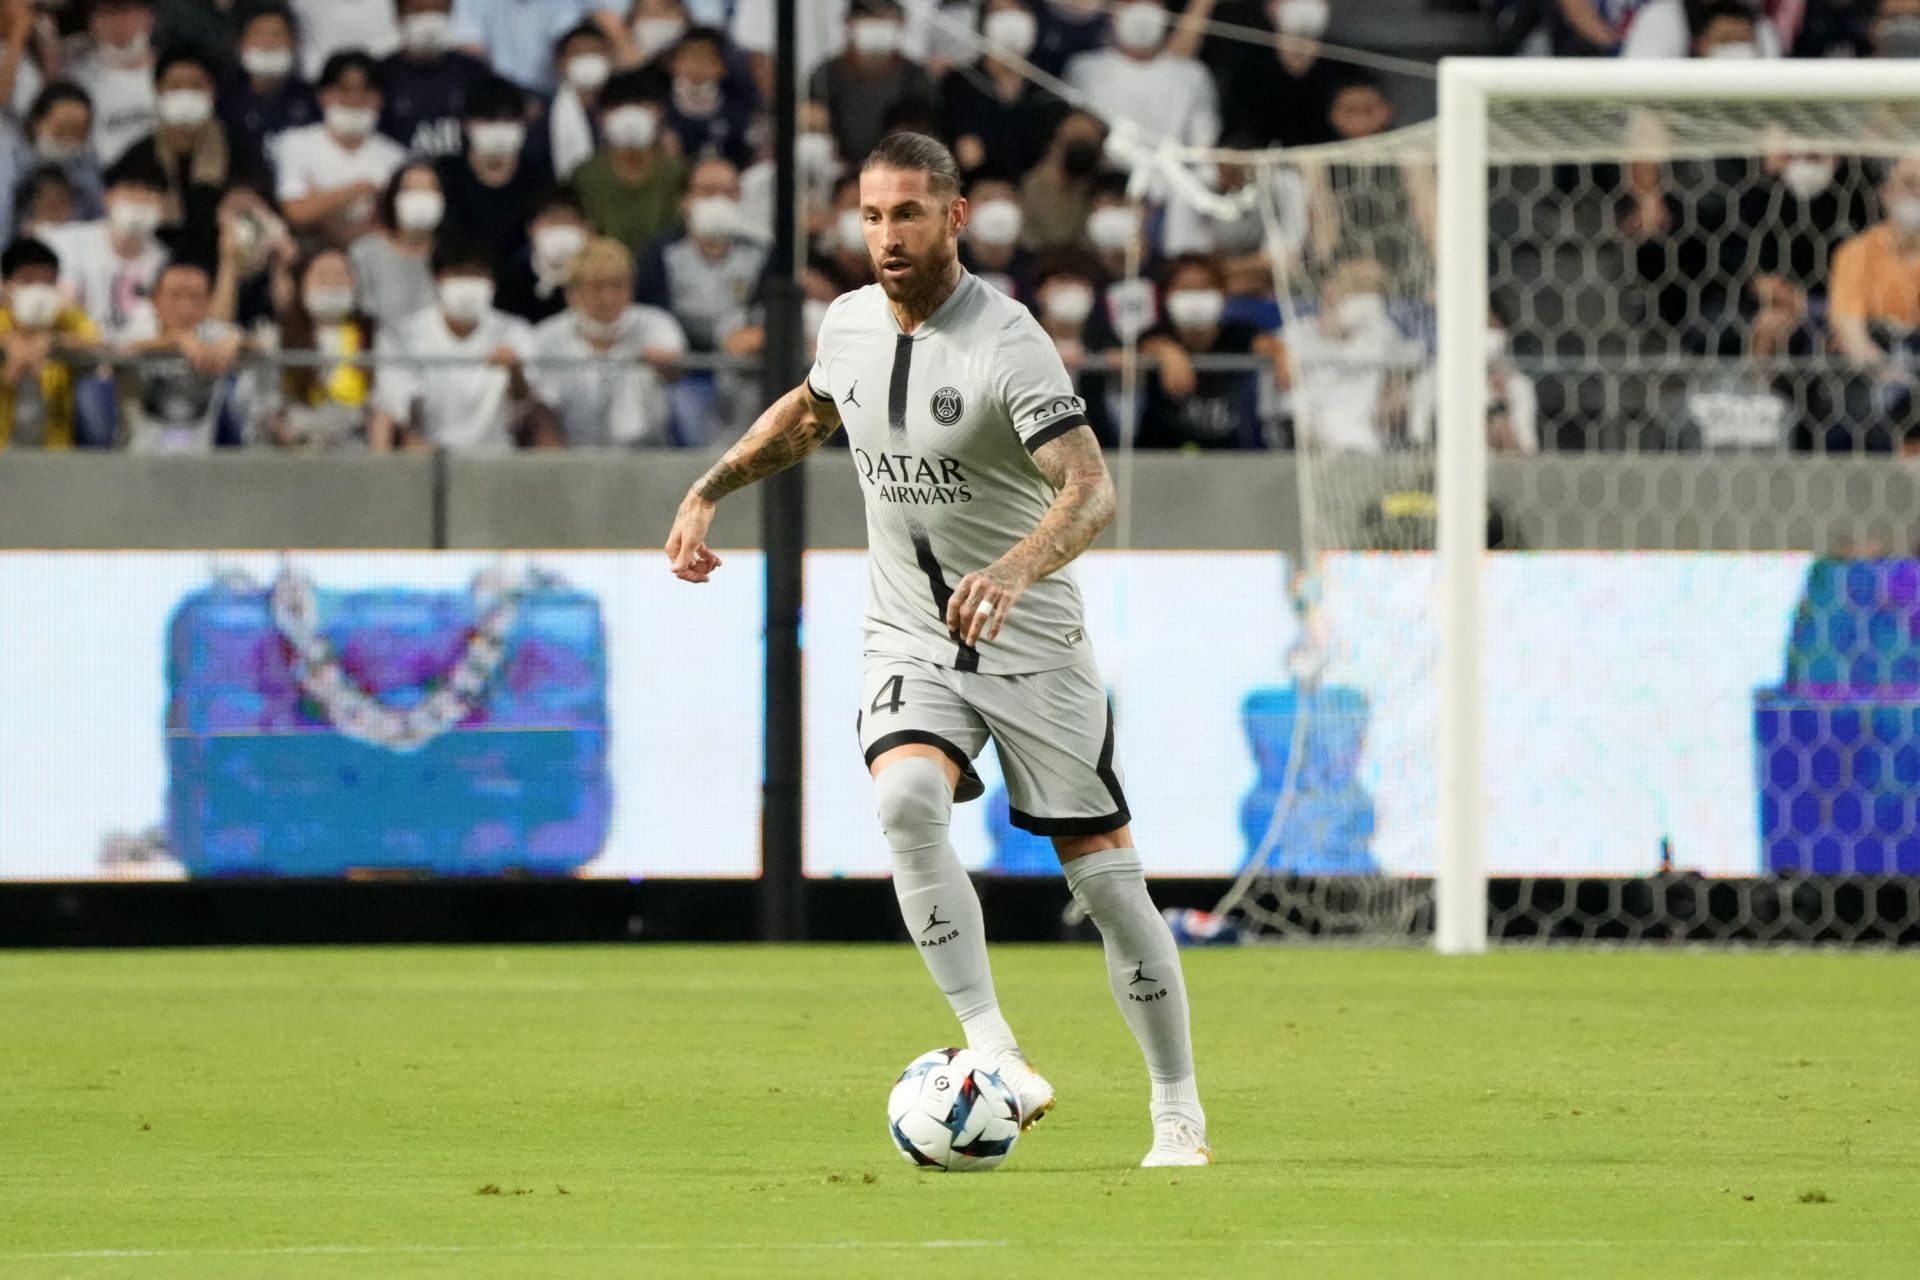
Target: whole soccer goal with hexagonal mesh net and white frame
(1610, 613)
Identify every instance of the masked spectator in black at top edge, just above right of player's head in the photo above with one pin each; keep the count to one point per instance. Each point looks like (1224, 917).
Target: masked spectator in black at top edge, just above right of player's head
(992, 110)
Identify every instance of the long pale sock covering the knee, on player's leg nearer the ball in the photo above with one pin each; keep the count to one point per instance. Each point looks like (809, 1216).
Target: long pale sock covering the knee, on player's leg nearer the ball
(936, 895)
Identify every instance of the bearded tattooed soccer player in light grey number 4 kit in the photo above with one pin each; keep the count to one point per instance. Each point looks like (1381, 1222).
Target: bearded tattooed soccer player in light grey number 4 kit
(982, 485)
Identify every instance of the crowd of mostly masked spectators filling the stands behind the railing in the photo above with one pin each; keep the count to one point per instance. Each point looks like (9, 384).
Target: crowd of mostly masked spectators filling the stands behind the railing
(550, 220)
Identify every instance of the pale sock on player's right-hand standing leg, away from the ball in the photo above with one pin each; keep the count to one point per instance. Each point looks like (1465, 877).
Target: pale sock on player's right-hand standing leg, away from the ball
(1143, 966)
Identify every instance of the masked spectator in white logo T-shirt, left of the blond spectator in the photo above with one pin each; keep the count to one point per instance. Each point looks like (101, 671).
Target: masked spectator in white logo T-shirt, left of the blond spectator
(475, 406)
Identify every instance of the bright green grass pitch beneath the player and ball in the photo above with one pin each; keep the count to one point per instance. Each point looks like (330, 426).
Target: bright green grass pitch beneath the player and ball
(719, 1112)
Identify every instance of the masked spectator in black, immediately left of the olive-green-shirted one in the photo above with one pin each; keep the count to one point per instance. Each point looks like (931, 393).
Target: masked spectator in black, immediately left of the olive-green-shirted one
(494, 185)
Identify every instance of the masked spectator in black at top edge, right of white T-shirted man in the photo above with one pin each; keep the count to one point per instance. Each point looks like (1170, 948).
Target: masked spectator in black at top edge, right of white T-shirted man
(1284, 99)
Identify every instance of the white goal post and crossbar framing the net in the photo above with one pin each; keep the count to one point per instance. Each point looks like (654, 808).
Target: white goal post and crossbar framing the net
(1470, 91)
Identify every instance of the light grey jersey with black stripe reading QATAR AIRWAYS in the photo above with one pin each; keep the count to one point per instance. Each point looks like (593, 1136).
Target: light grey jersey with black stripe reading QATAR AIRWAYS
(942, 427)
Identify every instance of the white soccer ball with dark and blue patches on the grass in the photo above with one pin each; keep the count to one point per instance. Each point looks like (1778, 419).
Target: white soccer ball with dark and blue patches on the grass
(951, 1112)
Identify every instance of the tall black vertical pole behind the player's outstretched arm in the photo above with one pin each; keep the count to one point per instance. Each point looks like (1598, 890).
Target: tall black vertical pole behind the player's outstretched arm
(784, 527)
